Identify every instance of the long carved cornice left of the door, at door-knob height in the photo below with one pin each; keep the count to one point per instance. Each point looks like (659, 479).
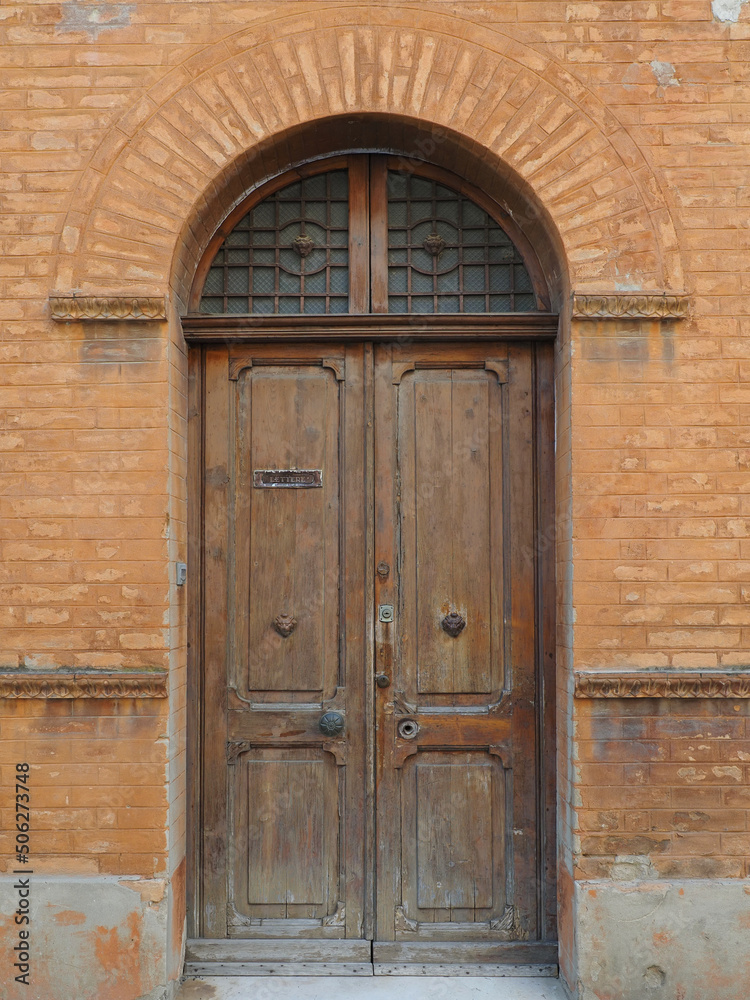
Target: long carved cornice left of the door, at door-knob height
(83, 684)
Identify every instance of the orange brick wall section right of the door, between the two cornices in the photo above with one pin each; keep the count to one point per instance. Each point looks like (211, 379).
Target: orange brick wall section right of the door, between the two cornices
(661, 473)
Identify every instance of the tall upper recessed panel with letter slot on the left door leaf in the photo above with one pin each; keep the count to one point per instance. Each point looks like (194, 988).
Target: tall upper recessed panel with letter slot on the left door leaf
(289, 422)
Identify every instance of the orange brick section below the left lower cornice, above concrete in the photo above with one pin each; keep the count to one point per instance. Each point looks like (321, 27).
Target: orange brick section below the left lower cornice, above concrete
(97, 785)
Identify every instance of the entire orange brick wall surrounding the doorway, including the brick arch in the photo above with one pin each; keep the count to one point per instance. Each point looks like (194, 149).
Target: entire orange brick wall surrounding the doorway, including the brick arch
(619, 133)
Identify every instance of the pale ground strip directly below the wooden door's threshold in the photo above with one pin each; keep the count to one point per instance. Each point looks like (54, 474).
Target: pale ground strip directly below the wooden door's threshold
(369, 988)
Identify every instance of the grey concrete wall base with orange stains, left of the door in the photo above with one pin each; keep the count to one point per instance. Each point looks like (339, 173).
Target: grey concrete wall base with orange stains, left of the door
(95, 938)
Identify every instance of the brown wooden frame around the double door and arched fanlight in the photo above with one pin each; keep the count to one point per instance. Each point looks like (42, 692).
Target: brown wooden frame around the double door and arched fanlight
(536, 330)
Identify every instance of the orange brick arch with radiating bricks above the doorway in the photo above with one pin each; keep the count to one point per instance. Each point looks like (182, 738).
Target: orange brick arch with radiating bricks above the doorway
(157, 187)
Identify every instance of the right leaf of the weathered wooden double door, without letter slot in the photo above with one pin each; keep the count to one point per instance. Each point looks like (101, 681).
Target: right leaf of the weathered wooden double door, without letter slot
(457, 730)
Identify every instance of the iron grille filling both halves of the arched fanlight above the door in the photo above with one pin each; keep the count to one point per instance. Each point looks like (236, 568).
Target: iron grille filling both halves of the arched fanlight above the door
(290, 253)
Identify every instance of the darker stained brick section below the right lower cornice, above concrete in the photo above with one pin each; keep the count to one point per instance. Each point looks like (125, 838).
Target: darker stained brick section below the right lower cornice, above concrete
(666, 782)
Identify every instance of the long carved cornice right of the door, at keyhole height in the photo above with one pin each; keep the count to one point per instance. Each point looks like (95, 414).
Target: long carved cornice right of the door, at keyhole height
(662, 684)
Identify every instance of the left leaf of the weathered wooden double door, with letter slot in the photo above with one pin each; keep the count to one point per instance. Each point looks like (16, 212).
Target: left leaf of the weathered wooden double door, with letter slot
(293, 845)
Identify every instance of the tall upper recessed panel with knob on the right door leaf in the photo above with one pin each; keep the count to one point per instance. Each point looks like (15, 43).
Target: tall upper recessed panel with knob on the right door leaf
(449, 448)
